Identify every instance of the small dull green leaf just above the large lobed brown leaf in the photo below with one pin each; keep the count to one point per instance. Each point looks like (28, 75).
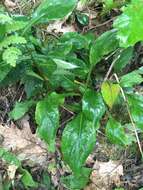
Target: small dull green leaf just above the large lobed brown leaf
(20, 109)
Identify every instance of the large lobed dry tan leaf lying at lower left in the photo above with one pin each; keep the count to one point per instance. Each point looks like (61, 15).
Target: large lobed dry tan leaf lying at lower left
(24, 144)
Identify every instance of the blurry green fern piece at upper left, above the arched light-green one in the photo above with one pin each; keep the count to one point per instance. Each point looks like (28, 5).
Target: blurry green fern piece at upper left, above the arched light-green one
(15, 26)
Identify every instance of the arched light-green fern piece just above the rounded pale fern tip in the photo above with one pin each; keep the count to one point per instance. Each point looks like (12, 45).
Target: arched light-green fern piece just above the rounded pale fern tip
(13, 39)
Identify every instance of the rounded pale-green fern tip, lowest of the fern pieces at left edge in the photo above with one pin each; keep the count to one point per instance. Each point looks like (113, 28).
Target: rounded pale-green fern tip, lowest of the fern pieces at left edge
(11, 55)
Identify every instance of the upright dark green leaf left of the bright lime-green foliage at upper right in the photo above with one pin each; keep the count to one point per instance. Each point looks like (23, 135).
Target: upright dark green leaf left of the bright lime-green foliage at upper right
(103, 45)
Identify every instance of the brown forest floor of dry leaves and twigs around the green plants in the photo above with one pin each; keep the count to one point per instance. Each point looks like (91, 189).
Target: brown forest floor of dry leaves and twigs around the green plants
(124, 166)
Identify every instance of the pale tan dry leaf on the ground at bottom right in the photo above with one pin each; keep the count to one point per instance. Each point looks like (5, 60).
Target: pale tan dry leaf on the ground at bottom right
(105, 174)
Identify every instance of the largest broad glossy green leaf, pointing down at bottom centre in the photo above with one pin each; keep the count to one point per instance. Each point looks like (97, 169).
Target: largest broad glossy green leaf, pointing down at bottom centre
(78, 141)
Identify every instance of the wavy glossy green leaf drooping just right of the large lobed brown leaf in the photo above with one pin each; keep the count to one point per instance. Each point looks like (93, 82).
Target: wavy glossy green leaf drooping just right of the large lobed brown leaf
(47, 118)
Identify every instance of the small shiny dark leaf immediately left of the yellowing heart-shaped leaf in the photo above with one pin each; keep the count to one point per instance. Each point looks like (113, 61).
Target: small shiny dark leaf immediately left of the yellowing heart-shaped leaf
(93, 106)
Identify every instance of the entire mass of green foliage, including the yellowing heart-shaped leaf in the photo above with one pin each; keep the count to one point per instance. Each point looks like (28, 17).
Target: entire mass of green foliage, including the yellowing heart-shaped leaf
(51, 72)
